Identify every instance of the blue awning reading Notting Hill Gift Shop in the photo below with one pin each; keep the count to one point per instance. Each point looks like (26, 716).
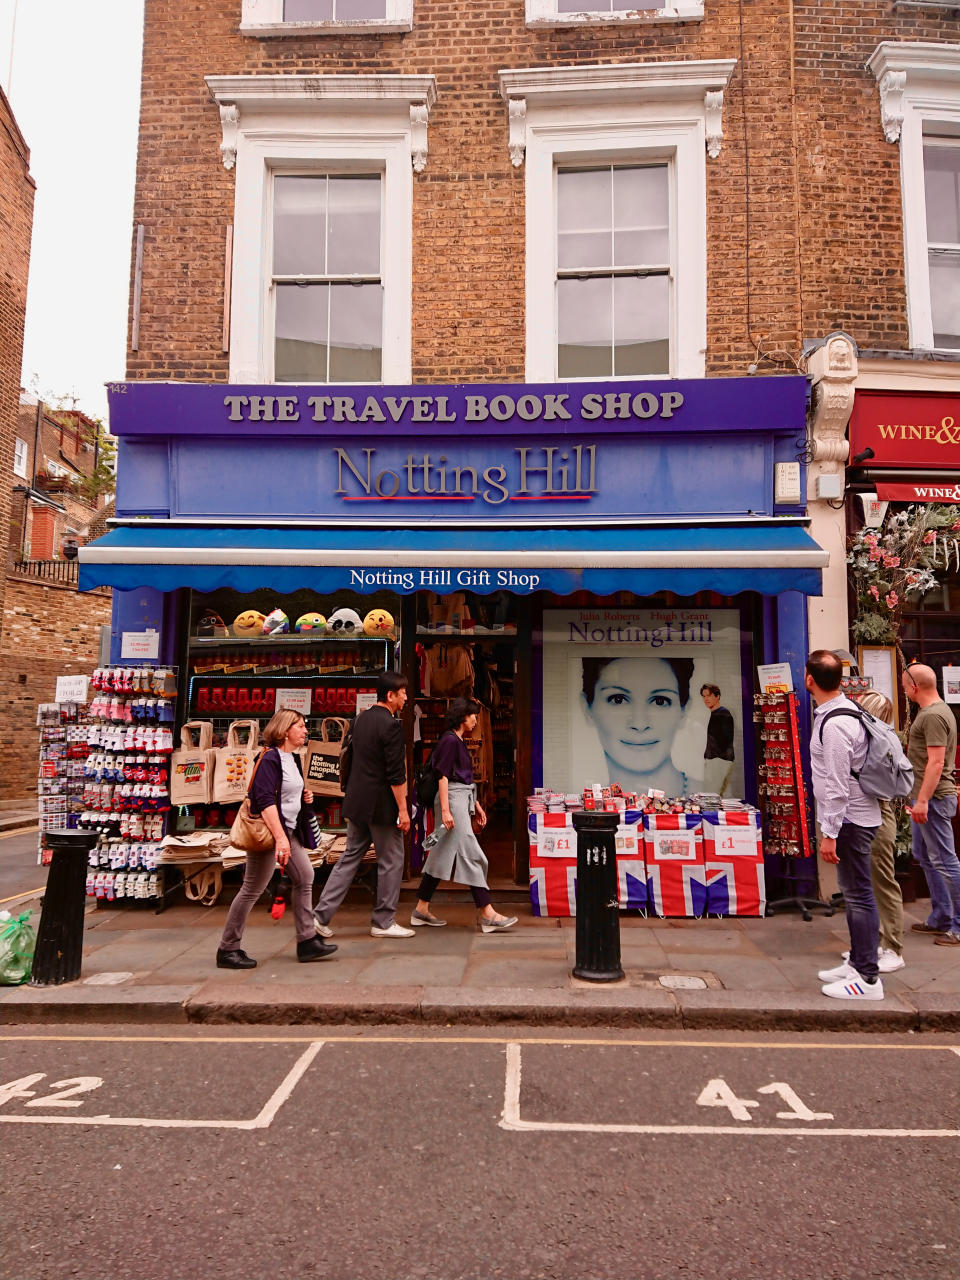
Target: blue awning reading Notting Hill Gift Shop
(766, 557)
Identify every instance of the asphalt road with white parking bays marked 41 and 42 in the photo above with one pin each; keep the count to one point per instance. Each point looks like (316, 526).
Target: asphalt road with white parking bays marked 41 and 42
(380, 1154)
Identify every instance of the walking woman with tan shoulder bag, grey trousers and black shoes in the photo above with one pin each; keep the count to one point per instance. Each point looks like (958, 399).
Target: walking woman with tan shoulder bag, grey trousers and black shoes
(278, 797)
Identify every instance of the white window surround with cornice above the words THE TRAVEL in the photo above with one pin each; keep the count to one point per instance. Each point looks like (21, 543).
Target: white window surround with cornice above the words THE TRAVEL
(319, 125)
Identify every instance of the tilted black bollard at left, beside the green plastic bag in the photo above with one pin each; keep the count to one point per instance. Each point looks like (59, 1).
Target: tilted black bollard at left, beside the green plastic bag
(61, 934)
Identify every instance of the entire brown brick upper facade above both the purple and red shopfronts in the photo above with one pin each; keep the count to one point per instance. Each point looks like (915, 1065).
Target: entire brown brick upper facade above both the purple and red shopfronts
(807, 218)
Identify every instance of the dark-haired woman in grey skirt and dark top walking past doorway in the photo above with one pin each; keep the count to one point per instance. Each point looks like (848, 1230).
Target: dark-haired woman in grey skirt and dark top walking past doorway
(455, 852)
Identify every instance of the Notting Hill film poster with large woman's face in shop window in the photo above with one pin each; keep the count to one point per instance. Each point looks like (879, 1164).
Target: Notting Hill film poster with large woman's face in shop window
(623, 701)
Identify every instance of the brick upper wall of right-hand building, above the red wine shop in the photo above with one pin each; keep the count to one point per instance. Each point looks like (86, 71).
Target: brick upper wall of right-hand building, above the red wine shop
(852, 223)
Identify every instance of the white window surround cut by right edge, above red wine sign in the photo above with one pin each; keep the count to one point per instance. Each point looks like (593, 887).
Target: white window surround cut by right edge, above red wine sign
(920, 89)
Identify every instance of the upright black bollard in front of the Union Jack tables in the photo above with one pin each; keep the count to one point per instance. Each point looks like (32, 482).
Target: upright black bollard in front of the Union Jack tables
(598, 909)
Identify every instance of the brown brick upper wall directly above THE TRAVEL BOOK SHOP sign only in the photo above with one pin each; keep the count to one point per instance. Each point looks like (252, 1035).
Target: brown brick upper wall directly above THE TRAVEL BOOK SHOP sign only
(469, 204)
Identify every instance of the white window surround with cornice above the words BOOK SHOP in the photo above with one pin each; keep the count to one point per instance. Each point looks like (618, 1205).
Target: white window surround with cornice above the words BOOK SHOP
(618, 115)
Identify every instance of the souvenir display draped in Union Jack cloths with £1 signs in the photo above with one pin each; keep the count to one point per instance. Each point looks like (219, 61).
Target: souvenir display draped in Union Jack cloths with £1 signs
(689, 857)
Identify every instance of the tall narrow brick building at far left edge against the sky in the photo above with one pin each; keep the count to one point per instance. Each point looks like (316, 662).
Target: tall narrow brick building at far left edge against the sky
(16, 227)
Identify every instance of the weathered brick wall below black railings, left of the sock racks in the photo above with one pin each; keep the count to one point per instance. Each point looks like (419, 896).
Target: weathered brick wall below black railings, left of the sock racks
(49, 632)
